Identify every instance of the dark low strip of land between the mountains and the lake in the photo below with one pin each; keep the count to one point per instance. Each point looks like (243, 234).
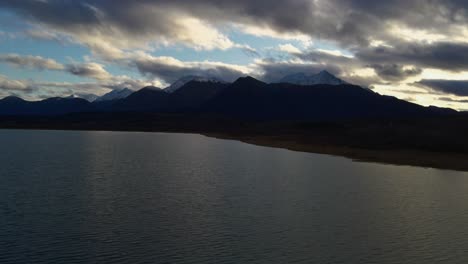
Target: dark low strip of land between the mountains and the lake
(439, 144)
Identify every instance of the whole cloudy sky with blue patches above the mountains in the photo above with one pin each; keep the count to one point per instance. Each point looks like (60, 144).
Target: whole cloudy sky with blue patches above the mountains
(416, 50)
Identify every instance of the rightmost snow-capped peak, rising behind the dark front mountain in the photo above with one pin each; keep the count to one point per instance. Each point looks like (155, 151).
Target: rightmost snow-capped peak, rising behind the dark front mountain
(323, 77)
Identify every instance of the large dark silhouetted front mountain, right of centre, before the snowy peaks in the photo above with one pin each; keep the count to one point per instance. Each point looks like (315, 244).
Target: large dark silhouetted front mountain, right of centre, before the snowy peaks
(250, 98)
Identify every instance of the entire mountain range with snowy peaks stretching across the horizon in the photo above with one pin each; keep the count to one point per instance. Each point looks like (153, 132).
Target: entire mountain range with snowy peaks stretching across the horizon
(296, 97)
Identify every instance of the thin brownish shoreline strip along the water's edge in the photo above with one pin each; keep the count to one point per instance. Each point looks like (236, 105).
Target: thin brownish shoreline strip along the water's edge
(400, 157)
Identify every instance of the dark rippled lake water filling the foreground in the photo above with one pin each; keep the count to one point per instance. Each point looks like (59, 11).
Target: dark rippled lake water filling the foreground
(114, 197)
